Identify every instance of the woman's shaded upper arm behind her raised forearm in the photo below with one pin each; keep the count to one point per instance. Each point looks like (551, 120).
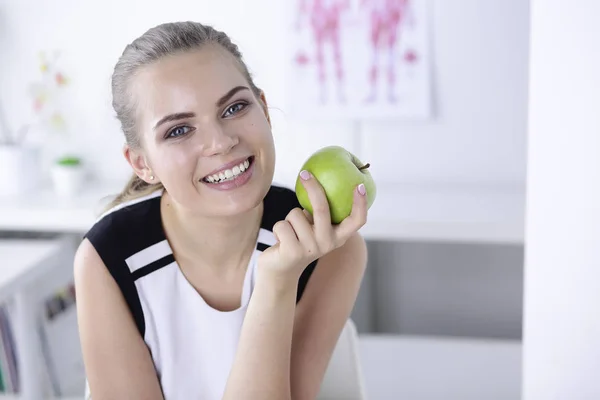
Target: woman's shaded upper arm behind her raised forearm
(322, 313)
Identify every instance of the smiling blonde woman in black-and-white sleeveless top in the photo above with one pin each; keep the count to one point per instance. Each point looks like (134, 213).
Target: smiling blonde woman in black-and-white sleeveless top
(204, 280)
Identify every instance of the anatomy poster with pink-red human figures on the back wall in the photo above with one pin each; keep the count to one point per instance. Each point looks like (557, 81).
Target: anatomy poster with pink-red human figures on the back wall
(358, 59)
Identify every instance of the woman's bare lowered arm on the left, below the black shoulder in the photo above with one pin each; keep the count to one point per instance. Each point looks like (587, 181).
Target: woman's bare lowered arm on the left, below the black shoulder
(117, 362)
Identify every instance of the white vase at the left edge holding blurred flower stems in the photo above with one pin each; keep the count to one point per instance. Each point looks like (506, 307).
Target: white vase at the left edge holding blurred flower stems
(19, 170)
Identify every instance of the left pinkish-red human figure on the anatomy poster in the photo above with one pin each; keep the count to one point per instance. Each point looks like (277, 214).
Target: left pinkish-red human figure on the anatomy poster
(324, 17)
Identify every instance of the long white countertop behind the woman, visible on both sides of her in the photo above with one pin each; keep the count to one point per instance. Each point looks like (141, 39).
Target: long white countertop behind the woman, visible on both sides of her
(434, 212)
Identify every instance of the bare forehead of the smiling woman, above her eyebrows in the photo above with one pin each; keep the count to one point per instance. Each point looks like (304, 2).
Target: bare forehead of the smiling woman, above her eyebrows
(186, 81)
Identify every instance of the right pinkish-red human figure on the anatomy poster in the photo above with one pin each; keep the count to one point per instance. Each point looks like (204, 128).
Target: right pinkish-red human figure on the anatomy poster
(386, 17)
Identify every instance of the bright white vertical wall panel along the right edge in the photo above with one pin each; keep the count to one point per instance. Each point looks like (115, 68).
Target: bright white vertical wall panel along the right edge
(562, 274)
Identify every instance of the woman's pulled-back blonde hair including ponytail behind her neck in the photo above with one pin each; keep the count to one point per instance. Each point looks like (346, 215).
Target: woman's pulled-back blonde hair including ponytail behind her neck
(156, 43)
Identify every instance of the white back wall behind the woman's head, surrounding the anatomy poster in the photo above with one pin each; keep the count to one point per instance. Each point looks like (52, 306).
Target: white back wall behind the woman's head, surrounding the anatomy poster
(479, 53)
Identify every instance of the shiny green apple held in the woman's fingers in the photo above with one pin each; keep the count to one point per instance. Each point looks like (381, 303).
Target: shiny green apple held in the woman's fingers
(339, 172)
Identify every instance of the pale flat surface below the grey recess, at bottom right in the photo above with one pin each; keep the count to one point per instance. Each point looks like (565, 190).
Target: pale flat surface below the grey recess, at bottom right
(440, 368)
